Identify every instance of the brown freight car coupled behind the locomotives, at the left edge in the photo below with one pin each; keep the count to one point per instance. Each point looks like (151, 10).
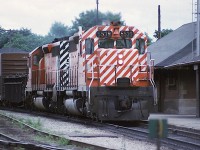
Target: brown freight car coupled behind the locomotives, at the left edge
(13, 76)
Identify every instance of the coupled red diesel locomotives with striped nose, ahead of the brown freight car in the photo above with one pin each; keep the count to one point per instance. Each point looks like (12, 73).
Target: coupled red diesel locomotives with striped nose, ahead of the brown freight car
(101, 73)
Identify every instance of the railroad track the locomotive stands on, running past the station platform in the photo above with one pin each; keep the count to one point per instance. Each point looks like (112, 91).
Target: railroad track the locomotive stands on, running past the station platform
(178, 138)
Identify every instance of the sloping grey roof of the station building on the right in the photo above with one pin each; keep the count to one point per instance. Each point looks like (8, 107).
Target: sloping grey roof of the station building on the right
(176, 48)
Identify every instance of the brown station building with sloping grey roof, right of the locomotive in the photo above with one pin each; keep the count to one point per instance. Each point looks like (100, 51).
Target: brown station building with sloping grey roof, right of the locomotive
(177, 71)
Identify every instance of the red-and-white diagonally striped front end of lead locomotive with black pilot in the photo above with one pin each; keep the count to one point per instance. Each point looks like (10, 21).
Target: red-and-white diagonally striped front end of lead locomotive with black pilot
(119, 82)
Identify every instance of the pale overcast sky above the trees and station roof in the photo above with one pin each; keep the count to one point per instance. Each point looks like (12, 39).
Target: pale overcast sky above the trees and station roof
(38, 15)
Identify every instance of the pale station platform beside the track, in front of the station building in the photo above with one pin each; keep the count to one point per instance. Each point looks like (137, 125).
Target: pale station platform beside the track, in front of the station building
(182, 121)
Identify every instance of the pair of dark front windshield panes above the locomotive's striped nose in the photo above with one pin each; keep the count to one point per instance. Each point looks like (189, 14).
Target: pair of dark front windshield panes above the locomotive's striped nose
(120, 43)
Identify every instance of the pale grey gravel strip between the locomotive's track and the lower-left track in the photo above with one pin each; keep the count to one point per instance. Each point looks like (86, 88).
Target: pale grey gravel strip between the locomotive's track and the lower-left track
(86, 134)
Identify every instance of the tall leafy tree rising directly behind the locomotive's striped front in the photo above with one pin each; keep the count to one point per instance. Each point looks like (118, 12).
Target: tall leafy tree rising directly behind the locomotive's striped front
(88, 19)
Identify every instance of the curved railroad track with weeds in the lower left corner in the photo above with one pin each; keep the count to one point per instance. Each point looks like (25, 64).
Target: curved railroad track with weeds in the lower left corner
(7, 141)
